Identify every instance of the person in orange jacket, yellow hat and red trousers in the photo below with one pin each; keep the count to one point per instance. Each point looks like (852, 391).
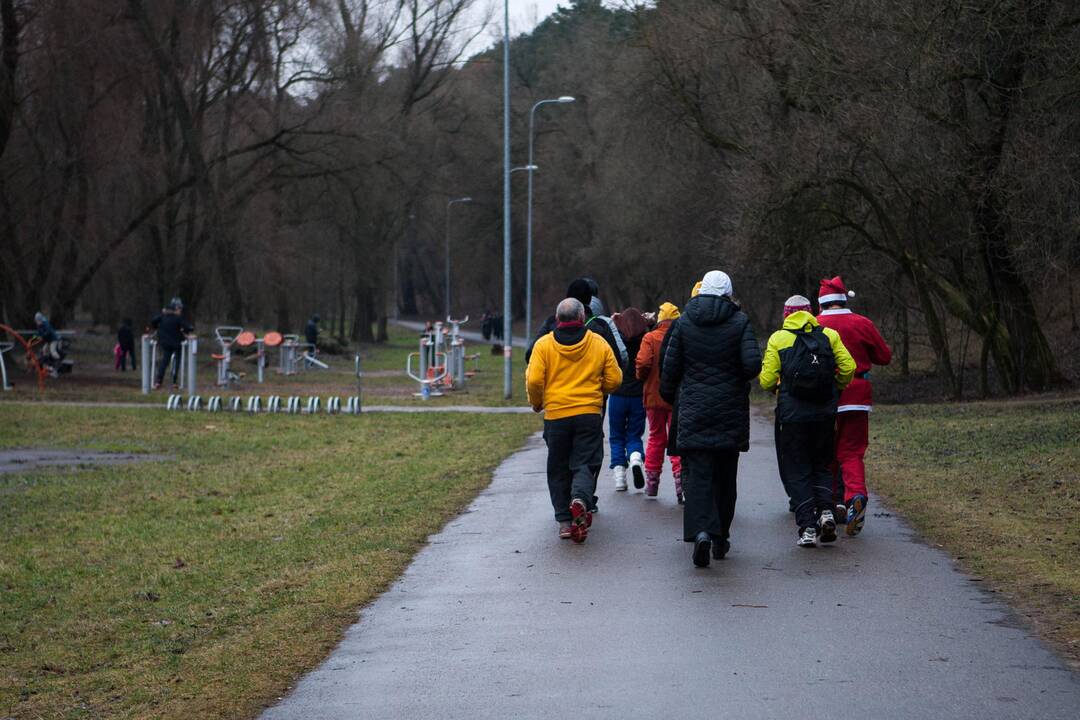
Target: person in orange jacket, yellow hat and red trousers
(658, 412)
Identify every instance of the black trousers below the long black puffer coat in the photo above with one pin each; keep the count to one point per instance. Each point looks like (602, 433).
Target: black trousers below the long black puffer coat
(709, 486)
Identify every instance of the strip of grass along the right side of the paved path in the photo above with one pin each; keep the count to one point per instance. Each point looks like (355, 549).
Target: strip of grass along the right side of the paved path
(998, 486)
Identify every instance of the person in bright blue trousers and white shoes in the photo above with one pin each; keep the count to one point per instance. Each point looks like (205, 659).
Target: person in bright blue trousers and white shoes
(626, 409)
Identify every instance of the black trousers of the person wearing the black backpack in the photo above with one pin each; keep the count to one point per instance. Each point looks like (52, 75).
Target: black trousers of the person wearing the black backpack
(805, 453)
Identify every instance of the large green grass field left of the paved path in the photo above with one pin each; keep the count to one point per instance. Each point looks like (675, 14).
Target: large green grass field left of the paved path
(202, 587)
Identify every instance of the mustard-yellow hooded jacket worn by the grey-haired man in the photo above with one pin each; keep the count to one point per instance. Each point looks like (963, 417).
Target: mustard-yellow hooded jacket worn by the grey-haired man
(569, 381)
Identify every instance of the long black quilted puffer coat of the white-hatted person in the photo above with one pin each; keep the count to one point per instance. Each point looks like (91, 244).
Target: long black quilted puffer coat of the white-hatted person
(712, 357)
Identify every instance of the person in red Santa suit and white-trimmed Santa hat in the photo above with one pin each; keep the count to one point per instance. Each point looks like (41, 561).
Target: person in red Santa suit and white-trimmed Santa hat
(867, 346)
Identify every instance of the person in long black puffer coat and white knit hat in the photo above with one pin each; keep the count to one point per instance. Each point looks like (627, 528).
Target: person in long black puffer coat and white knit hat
(711, 358)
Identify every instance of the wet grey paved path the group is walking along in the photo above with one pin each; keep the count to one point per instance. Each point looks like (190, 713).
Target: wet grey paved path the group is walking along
(498, 619)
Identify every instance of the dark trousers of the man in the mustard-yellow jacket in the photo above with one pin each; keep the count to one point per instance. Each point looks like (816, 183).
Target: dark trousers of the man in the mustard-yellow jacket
(575, 457)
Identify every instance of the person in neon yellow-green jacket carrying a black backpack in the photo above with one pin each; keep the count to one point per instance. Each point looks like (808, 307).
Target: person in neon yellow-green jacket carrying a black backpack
(808, 366)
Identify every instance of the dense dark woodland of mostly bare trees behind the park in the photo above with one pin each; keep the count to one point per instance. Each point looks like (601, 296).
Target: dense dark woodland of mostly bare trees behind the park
(265, 159)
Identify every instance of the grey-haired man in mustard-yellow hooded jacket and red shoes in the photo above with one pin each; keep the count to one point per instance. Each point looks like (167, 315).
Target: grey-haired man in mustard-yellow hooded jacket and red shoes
(570, 373)
